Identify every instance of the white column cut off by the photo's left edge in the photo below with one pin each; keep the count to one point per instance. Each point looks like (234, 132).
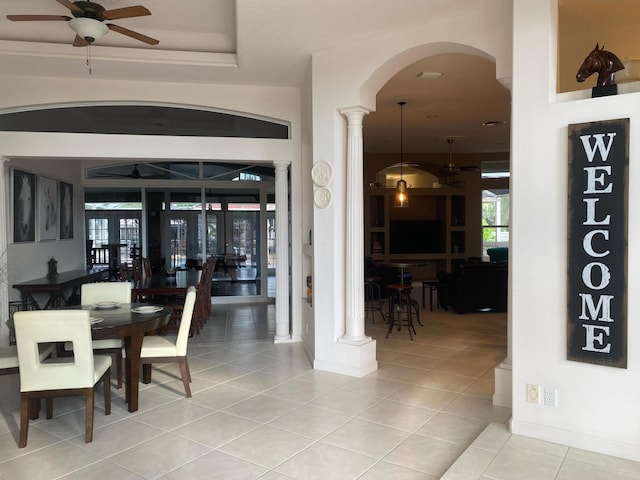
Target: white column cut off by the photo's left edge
(4, 260)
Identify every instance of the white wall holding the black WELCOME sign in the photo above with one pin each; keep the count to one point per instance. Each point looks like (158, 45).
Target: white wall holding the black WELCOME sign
(597, 406)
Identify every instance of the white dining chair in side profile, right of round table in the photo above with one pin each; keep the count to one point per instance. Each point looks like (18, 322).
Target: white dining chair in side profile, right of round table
(168, 349)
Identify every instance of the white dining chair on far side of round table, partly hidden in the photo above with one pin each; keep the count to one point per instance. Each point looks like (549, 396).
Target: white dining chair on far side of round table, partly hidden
(93, 293)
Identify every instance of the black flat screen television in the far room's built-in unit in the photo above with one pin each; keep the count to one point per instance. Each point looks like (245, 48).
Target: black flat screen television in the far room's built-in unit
(416, 236)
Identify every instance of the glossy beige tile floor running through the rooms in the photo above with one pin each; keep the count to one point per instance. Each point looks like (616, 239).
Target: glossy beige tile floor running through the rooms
(260, 411)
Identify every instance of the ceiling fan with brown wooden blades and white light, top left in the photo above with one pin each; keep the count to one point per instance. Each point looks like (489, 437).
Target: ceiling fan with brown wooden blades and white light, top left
(88, 21)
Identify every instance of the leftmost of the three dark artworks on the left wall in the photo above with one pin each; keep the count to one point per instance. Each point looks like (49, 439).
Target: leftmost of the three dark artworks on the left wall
(24, 206)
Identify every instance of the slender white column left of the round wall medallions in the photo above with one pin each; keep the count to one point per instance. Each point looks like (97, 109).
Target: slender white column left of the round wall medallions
(283, 330)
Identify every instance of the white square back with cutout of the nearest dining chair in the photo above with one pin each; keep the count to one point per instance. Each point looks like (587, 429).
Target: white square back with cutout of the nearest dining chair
(43, 326)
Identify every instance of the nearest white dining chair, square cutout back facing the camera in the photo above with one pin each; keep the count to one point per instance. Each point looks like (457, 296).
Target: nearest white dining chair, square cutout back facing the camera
(79, 374)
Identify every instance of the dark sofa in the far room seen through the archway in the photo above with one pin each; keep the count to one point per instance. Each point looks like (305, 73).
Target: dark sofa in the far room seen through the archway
(476, 286)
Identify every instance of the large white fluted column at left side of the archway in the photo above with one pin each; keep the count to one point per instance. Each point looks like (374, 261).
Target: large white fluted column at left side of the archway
(354, 255)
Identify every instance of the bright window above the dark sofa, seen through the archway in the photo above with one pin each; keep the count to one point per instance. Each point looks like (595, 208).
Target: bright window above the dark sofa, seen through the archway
(495, 219)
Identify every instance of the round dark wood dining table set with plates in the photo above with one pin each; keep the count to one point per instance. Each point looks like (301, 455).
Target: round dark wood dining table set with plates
(129, 321)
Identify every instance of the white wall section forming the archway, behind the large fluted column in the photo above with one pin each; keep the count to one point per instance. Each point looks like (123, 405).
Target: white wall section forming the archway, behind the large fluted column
(351, 76)
